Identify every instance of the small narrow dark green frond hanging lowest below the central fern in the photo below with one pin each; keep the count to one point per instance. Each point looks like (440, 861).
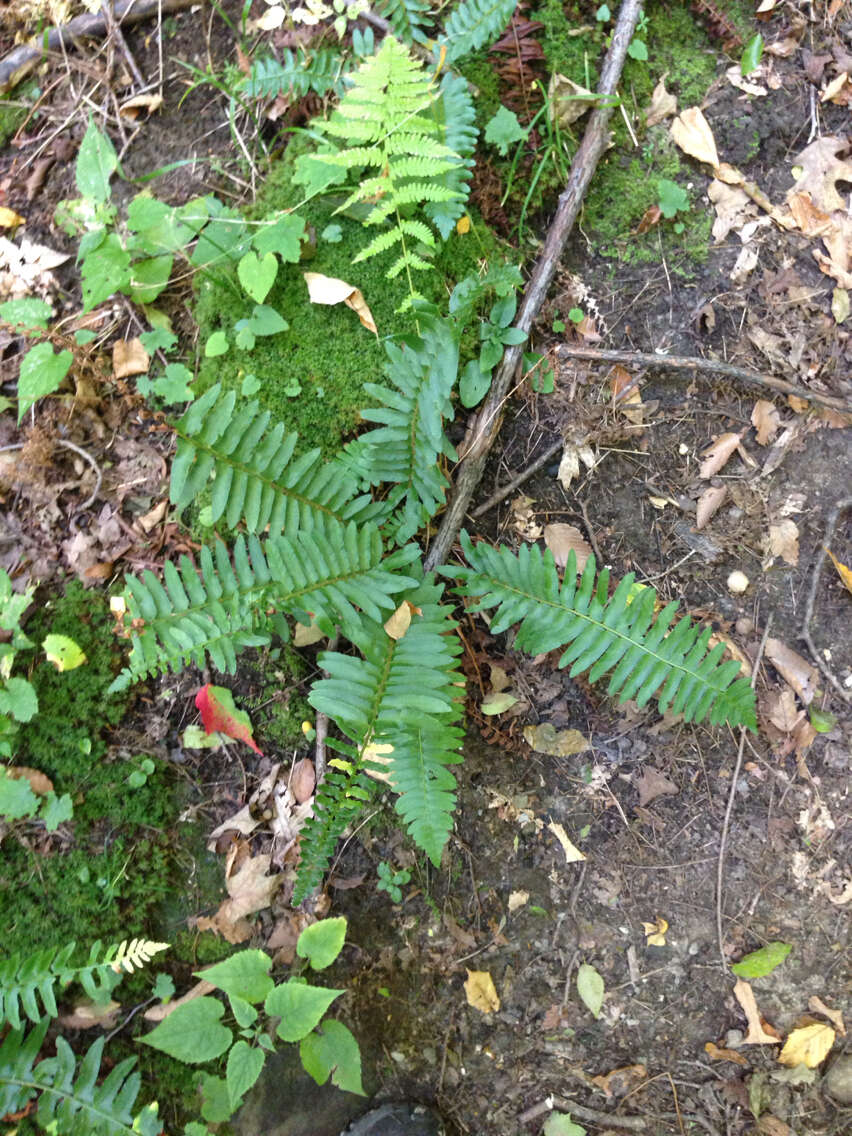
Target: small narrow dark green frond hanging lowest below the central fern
(340, 798)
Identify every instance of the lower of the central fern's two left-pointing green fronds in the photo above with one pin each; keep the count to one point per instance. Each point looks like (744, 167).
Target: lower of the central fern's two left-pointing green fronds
(224, 607)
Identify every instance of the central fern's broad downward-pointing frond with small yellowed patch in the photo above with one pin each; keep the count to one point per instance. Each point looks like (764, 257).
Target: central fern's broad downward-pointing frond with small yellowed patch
(398, 704)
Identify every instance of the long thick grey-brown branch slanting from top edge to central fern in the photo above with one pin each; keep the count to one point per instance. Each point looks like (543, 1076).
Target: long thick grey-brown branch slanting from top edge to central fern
(586, 162)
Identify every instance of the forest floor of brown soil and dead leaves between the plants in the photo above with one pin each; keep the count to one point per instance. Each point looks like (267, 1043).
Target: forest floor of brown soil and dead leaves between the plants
(647, 799)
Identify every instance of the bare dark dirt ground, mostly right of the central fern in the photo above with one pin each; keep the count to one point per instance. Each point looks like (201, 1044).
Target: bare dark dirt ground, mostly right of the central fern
(649, 799)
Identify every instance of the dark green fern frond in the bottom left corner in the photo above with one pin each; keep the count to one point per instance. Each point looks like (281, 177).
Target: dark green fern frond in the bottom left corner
(71, 1101)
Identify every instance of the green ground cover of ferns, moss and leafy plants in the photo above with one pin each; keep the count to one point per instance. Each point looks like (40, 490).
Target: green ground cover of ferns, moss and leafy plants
(305, 537)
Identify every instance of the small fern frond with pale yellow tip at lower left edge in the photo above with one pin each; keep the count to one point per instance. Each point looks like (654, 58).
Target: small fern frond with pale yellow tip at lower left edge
(24, 983)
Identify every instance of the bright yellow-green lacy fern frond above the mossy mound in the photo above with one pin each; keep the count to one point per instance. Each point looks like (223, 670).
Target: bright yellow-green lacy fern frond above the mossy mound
(385, 123)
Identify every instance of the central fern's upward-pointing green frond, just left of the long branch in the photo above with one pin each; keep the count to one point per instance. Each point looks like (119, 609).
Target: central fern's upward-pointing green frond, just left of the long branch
(405, 450)
